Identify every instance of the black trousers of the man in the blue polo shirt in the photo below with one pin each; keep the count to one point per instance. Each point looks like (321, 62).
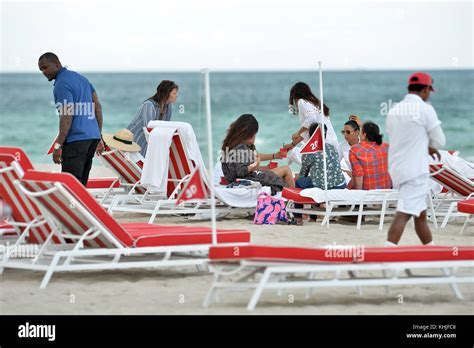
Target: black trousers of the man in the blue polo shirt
(74, 157)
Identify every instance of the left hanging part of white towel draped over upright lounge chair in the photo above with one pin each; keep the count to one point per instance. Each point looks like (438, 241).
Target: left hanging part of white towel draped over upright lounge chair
(155, 169)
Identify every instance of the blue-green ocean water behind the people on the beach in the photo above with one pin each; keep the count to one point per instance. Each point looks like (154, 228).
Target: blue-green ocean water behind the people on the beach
(28, 119)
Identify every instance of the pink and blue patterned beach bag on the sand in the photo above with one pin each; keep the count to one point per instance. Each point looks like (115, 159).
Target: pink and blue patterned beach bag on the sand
(270, 210)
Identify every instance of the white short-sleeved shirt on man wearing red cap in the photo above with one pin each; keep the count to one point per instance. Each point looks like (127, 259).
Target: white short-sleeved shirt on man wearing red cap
(407, 125)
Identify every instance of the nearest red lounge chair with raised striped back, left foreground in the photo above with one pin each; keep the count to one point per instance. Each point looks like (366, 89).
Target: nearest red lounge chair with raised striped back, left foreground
(97, 241)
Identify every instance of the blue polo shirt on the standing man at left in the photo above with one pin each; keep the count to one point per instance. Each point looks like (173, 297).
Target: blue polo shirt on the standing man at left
(72, 90)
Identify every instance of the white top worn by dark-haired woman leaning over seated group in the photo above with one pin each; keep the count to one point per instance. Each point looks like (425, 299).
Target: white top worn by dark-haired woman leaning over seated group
(310, 114)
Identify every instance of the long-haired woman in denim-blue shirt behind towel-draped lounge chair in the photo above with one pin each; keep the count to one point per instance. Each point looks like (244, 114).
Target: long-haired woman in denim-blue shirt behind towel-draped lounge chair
(157, 107)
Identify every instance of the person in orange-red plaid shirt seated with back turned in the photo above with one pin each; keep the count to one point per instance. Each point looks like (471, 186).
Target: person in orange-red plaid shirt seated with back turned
(369, 160)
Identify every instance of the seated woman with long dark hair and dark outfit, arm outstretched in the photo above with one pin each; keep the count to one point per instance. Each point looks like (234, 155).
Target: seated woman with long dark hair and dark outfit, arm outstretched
(240, 159)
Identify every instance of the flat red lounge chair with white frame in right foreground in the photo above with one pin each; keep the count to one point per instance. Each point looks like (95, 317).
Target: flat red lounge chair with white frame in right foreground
(239, 268)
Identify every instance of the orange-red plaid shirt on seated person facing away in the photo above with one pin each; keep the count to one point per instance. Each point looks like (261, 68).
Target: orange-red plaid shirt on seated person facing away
(370, 161)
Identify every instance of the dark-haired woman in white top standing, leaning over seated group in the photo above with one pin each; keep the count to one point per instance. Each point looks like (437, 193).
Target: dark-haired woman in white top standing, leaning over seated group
(305, 104)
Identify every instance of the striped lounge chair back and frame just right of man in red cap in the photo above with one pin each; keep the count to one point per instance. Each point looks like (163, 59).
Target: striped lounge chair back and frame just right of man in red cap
(457, 188)
